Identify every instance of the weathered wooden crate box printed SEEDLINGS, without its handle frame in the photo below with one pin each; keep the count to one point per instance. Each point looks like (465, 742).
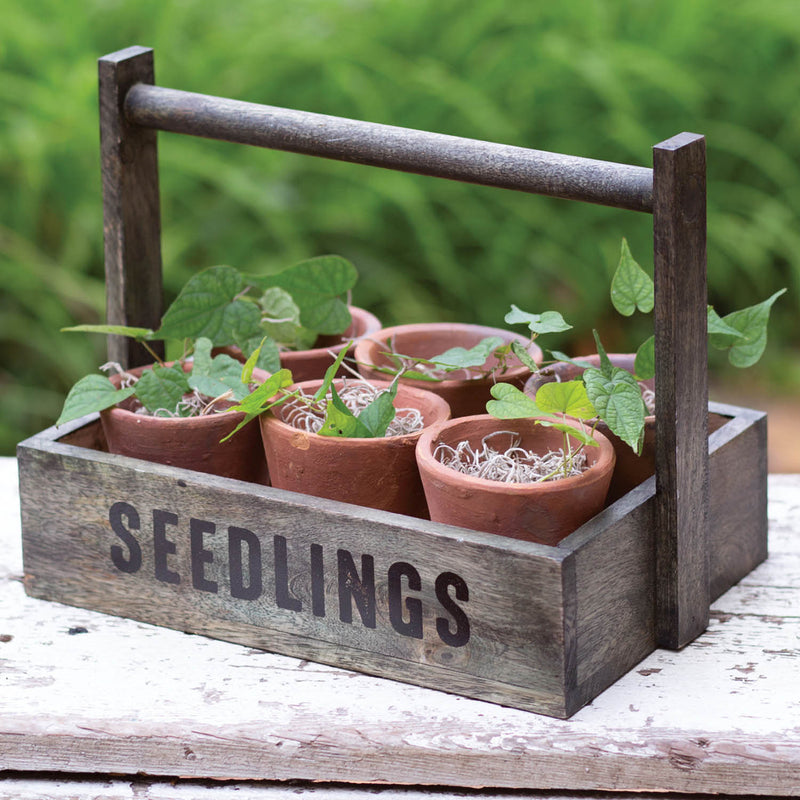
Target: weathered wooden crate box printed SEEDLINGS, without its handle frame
(549, 628)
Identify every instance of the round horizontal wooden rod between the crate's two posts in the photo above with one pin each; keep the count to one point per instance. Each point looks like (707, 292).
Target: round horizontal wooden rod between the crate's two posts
(422, 152)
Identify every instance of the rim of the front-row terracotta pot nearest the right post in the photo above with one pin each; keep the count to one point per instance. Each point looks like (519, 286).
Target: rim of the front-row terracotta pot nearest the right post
(605, 461)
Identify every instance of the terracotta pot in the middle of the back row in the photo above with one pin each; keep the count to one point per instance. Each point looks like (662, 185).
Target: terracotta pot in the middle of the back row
(423, 340)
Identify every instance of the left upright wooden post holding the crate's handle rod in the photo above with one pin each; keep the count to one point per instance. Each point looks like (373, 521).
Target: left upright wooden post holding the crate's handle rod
(131, 212)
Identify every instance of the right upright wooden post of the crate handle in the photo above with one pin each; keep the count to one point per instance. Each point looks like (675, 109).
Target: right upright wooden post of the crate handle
(681, 514)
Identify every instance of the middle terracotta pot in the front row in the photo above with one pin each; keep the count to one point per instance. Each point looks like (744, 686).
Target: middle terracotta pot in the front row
(377, 473)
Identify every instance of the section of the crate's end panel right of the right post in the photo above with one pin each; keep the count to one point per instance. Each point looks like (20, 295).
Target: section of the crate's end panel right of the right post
(737, 499)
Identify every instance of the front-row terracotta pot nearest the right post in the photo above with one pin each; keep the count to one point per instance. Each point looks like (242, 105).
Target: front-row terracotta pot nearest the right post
(536, 512)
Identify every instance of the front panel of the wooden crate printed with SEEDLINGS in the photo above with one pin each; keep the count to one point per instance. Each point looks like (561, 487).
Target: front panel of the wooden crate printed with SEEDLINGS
(243, 563)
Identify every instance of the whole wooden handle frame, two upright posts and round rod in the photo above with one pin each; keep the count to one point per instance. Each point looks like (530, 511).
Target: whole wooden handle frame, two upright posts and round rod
(132, 109)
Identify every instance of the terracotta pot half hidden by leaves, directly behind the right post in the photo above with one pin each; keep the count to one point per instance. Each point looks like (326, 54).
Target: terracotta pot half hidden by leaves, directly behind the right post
(631, 469)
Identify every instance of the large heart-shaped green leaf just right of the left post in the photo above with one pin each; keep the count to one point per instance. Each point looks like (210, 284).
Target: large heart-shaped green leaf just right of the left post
(211, 305)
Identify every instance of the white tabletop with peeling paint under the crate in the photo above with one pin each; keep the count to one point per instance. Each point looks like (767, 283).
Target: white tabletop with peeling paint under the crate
(86, 699)
